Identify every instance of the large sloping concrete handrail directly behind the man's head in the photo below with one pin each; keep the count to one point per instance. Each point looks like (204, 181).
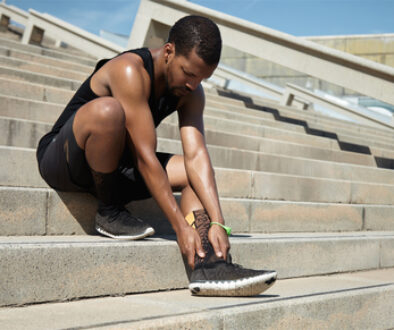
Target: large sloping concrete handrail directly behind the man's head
(343, 69)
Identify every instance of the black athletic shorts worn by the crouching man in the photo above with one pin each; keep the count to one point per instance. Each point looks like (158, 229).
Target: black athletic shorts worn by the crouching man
(64, 167)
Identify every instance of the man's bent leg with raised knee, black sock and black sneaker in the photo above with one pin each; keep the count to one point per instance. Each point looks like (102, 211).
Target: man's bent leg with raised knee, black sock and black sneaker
(99, 130)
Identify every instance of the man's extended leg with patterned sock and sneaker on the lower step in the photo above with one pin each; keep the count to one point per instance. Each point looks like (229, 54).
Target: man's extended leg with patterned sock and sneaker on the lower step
(213, 276)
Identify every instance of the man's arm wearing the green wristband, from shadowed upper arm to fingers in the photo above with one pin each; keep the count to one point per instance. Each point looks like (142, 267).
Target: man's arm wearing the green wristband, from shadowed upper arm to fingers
(199, 167)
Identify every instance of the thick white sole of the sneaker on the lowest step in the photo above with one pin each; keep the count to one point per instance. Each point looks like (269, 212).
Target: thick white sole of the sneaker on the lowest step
(246, 287)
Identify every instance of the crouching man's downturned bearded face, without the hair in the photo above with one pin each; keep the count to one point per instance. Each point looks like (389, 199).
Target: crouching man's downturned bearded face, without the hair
(185, 73)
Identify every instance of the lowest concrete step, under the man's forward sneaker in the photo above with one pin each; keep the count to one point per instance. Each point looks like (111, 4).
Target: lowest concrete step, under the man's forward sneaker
(359, 300)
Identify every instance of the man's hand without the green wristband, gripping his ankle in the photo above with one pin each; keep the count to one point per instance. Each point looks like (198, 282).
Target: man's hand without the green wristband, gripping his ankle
(190, 243)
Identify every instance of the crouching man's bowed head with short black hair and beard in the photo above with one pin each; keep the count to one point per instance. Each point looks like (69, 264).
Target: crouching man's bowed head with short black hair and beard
(191, 53)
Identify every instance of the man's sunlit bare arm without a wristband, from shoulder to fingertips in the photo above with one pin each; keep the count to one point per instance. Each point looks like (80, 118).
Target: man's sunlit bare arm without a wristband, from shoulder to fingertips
(130, 85)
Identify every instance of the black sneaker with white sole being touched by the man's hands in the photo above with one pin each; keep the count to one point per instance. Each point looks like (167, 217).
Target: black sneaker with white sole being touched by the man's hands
(223, 278)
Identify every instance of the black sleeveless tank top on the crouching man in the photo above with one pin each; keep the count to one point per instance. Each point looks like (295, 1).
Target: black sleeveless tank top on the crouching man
(166, 105)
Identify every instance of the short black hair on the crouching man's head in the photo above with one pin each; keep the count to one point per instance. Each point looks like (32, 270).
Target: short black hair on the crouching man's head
(197, 32)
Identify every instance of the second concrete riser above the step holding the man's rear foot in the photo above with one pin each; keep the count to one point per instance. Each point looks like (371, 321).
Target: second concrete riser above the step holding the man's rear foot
(16, 162)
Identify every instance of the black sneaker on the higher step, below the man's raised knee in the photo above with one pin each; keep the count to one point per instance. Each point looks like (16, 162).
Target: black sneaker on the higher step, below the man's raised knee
(117, 222)
